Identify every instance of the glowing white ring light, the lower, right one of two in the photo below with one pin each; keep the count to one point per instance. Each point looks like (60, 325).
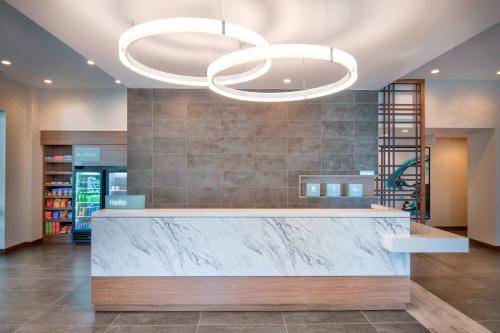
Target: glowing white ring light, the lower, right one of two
(282, 51)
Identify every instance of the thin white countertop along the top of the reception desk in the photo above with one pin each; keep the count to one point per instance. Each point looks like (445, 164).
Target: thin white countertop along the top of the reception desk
(375, 211)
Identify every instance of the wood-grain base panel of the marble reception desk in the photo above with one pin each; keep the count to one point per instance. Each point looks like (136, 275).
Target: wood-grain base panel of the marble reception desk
(249, 293)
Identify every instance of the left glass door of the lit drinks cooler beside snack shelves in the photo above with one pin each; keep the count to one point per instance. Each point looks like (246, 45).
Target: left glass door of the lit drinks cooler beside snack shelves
(88, 191)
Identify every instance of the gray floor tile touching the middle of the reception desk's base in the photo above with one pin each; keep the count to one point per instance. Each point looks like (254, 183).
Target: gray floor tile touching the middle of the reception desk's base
(241, 318)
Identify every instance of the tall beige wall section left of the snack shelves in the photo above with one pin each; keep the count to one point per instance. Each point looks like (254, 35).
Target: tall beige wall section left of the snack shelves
(23, 178)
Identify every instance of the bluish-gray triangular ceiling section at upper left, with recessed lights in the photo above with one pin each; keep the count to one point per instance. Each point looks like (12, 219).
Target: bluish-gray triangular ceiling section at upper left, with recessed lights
(37, 55)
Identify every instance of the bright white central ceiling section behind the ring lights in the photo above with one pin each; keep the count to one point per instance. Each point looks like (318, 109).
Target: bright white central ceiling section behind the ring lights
(389, 38)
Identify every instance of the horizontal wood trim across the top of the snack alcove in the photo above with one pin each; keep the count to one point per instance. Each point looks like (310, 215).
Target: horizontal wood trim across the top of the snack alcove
(83, 137)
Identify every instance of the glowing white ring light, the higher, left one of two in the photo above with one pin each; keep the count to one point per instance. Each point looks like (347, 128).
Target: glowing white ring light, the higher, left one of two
(190, 24)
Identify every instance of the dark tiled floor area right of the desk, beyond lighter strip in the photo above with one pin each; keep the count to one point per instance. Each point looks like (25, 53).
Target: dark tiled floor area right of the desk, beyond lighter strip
(469, 282)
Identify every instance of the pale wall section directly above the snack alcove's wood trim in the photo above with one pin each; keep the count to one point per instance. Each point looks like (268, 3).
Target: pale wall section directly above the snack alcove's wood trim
(83, 110)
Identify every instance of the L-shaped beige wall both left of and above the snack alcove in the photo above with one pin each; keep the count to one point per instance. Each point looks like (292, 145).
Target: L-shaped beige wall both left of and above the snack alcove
(29, 110)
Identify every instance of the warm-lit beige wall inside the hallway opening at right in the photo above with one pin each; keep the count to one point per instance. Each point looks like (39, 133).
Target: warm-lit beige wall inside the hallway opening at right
(448, 181)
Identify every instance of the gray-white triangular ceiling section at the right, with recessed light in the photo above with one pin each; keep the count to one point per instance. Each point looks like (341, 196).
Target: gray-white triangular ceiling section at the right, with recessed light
(476, 59)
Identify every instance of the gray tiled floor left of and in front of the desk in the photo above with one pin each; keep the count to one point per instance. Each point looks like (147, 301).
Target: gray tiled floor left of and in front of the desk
(47, 289)
